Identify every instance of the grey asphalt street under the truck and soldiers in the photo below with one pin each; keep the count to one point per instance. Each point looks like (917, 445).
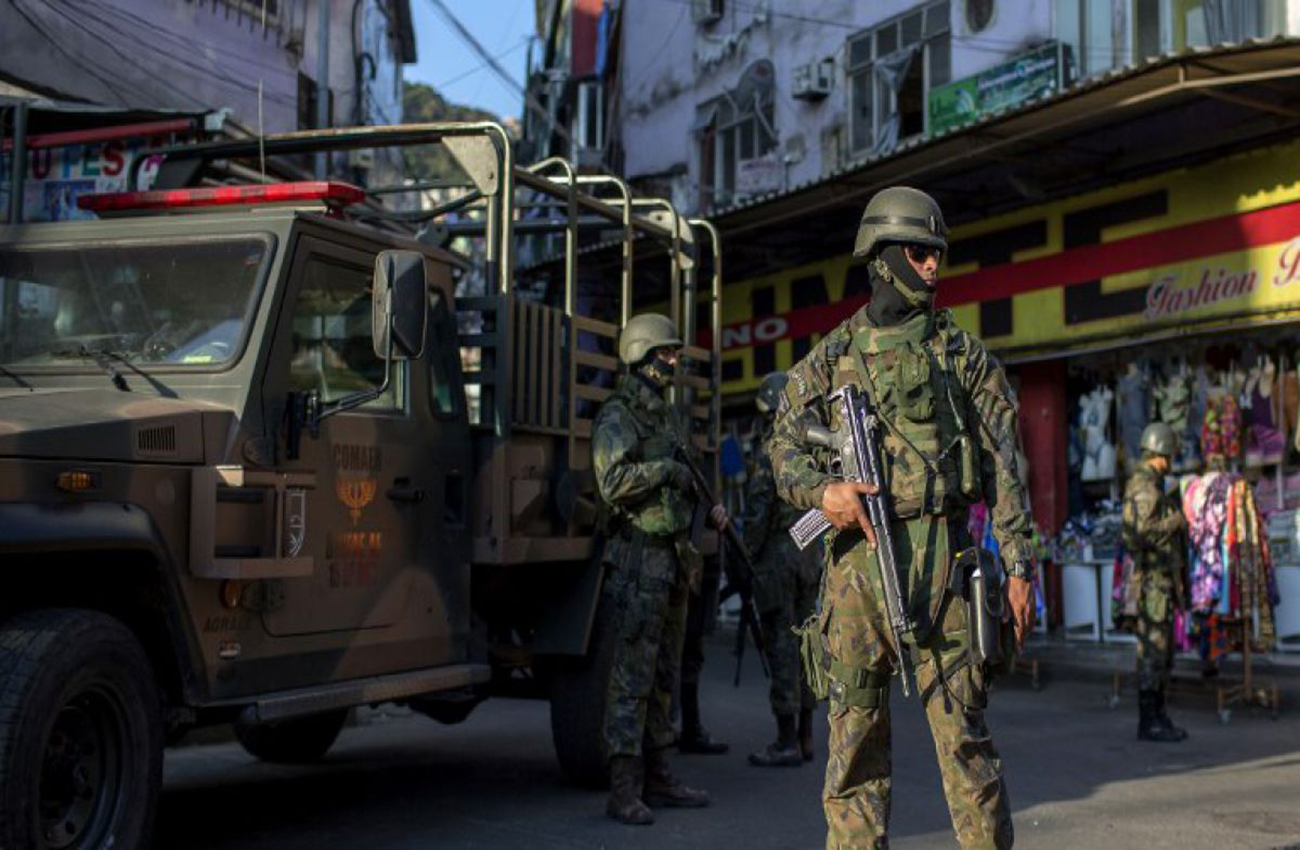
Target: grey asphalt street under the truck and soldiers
(1077, 777)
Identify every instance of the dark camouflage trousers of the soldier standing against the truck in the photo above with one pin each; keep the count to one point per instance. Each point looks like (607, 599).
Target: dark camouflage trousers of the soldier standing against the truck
(649, 595)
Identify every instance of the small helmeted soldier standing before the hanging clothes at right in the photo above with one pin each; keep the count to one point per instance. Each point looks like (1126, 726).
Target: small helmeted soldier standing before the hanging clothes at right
(1155, 534)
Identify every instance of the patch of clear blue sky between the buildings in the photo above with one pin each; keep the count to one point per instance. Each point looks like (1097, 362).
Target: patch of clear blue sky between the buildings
(452, 67)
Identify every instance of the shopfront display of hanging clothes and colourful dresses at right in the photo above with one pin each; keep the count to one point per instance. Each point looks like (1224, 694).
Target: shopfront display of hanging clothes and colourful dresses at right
(1236, 406)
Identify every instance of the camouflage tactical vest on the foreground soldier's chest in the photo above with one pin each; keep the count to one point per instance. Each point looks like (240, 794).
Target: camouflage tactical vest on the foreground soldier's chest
(909, 374)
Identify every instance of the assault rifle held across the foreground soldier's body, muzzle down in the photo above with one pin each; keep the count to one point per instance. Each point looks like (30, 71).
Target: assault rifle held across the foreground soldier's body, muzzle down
(857, 458)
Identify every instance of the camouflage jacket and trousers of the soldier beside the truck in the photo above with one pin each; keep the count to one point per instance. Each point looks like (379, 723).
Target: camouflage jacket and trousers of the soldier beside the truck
(634, 440)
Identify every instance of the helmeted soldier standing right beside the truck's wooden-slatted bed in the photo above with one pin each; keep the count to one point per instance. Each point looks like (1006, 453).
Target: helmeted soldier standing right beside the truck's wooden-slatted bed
(652, 566)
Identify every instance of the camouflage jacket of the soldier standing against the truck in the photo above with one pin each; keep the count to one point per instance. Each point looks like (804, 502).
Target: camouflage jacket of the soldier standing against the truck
(634, 441)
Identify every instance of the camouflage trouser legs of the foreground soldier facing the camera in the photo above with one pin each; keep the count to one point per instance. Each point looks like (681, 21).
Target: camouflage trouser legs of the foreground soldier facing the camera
(856, 796)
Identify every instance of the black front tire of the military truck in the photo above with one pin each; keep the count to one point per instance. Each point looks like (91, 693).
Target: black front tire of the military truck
(81, 734)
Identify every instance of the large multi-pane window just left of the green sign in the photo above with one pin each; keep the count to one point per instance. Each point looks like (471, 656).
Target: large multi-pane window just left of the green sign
(874, 57)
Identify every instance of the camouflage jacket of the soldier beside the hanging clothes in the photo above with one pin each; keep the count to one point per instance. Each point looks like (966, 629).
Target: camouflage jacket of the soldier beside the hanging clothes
(1154, 530)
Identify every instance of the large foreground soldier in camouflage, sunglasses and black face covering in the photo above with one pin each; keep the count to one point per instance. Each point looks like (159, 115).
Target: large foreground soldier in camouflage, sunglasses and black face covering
(950, 422)
